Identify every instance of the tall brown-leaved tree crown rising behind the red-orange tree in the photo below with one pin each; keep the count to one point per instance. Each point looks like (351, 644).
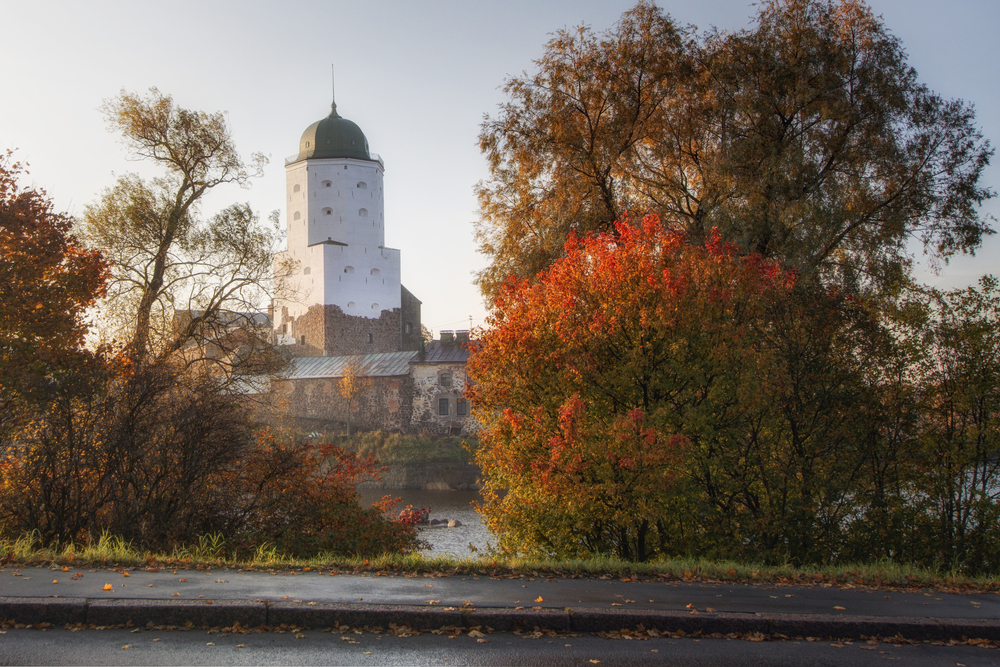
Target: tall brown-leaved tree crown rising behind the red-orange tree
(806, 138)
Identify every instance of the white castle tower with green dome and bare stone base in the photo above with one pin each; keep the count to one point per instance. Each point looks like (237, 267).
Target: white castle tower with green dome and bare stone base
(345, 295)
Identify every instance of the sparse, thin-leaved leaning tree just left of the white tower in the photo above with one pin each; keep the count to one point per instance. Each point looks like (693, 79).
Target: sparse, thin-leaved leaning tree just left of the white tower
(183, 286)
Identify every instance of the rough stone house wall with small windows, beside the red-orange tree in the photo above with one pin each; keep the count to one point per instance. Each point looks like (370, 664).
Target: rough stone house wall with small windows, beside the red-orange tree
(429, 390)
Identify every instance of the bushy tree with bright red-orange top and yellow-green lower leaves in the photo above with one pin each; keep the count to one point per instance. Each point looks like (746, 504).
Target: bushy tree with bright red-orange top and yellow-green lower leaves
(593, 381)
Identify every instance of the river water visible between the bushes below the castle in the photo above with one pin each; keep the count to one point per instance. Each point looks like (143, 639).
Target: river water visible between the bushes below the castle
(443, 505)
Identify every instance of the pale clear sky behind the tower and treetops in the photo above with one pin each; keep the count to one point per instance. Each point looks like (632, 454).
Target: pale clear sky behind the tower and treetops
(416, 77)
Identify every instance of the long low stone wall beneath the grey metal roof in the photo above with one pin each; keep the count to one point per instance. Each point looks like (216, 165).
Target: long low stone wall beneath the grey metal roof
(384, 403)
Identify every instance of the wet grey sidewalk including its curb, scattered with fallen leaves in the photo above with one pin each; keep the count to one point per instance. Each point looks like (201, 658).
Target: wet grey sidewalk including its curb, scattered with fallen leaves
(320, 600)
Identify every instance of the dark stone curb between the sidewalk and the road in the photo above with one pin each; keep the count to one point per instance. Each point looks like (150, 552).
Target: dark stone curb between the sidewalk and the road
(248, 613)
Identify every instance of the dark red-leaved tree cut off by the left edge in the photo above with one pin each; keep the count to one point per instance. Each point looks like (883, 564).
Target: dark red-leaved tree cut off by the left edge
(47, 282)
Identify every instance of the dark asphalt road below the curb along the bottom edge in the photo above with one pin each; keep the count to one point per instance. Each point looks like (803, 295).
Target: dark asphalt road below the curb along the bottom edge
(313, 647)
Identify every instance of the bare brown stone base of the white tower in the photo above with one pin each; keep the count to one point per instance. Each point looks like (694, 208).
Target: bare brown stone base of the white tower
(326, 331)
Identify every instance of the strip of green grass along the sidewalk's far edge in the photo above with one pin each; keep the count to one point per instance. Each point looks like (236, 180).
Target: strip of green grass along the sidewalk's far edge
(210, 553)
